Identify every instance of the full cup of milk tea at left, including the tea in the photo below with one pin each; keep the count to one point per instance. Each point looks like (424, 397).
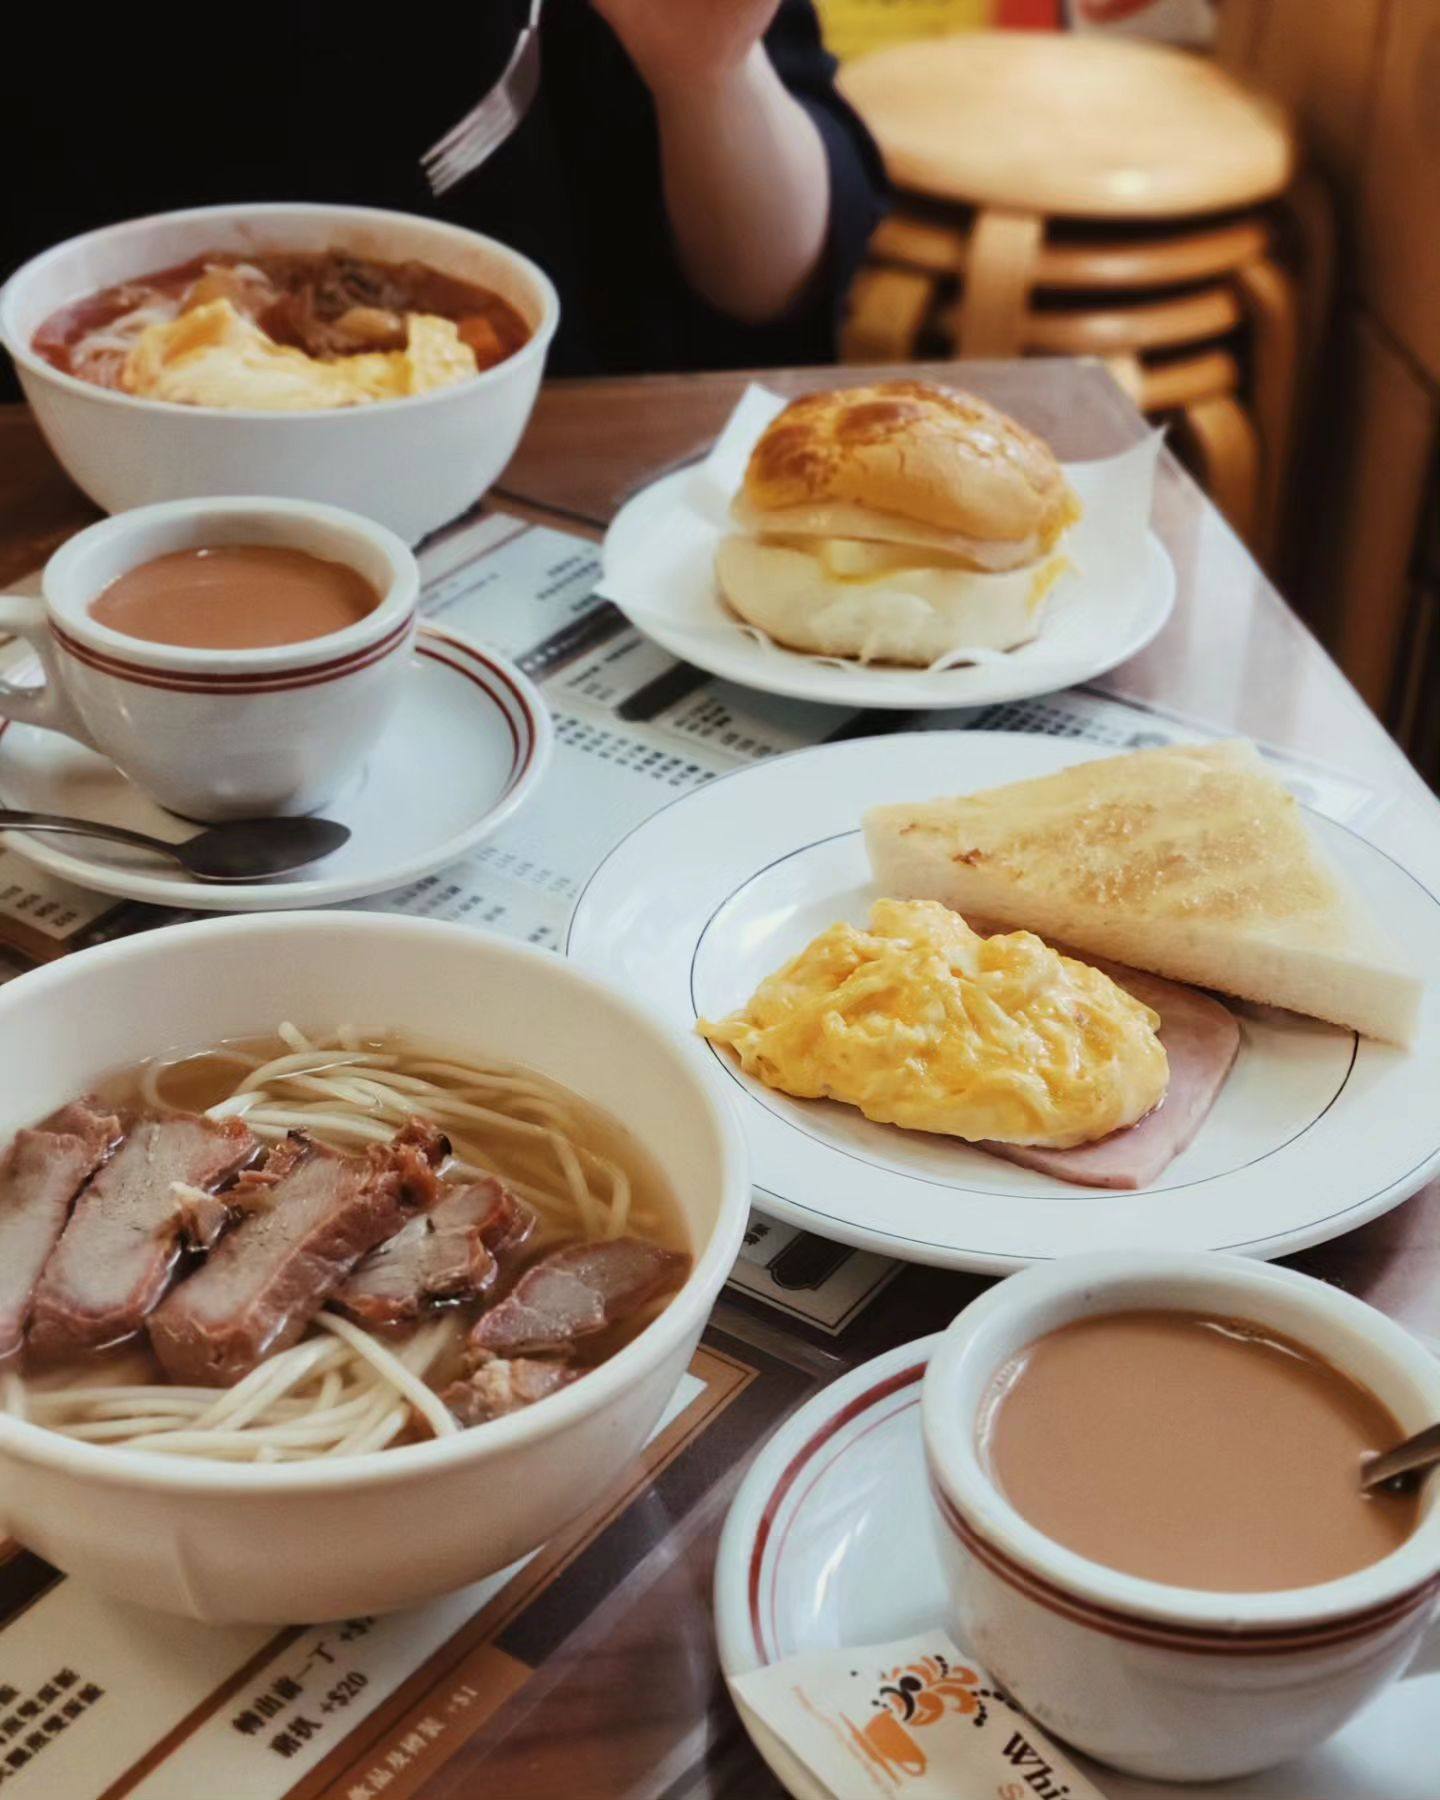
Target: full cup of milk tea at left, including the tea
(235, 658)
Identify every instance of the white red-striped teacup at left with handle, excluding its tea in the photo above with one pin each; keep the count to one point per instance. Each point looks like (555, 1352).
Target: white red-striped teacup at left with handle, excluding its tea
(219, 733)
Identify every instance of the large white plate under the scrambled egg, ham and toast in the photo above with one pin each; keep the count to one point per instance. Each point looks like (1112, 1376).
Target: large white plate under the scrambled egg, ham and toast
(1315, 1131)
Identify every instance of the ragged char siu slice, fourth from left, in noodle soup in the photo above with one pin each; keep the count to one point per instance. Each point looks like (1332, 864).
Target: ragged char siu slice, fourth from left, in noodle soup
(454, 1252)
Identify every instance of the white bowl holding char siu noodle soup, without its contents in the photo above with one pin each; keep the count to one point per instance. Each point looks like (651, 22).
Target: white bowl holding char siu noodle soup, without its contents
(363, 1534)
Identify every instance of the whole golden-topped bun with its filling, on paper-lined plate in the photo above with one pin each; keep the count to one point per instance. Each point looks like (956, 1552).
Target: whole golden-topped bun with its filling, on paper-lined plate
(897, 523)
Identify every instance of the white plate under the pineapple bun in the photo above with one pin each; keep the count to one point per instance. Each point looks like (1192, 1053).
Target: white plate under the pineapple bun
(1090, 627)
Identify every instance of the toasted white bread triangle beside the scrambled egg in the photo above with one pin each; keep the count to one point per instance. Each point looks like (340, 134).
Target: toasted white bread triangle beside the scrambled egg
(1191, 861)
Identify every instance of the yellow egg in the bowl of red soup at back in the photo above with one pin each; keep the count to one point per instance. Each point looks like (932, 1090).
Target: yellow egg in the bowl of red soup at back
(215, 355)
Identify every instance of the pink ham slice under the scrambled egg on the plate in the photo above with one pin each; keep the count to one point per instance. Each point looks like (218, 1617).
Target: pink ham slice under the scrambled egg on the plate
(1201, 1039)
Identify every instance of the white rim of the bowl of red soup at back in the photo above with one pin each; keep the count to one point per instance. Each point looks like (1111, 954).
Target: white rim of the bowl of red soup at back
(530, 352)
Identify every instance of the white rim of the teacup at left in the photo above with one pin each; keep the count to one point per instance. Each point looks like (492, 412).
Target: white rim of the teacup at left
(395, 606)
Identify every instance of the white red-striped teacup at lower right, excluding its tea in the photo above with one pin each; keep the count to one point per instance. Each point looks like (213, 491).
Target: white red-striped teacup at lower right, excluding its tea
(1173, 1684)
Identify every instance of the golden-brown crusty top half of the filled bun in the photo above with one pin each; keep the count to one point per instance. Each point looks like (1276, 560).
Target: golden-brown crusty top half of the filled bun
(903, 462)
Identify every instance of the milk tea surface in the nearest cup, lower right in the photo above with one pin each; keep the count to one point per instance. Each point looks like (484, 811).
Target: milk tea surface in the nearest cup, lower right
(1194, 1450)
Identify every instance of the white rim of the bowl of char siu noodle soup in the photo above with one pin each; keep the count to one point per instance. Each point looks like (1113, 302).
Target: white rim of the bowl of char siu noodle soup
(139, 1470)
